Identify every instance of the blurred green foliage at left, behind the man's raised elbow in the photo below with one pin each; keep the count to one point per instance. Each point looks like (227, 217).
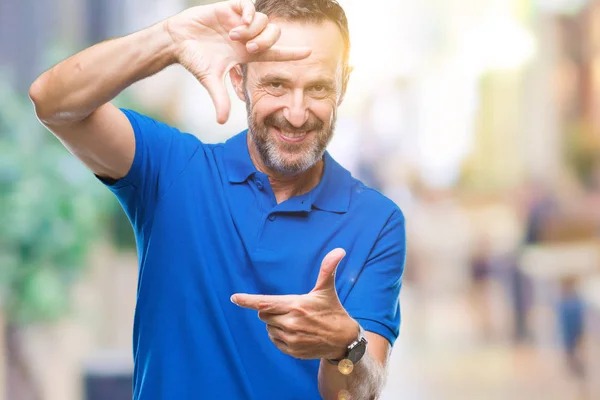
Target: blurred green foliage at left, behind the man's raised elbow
(51, 212)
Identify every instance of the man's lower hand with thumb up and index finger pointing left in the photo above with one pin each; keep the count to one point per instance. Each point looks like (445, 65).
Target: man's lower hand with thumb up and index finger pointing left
(310, 326)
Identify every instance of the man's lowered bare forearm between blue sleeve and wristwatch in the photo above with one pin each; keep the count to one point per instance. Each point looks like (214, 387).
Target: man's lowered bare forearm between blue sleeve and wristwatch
(367, 378)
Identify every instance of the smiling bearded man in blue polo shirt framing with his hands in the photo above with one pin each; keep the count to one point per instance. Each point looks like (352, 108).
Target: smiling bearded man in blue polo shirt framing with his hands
(263, 220)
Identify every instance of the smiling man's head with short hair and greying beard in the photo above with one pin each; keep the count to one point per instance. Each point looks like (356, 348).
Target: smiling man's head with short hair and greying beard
(292, 105)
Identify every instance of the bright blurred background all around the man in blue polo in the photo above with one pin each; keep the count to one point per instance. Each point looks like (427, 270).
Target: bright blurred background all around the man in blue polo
(481, 119)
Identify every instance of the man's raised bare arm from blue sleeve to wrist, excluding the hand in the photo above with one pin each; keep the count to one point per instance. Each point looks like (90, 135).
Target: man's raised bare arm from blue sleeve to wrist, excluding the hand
(71, 99)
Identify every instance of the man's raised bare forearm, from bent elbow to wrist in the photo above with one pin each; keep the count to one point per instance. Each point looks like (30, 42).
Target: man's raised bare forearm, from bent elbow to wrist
(74, 88)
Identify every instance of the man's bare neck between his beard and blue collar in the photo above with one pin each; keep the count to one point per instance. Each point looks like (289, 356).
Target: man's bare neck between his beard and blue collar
(287, 186)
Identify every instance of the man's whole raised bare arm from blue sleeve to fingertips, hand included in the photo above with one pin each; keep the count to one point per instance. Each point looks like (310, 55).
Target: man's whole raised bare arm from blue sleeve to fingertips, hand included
(72, 99)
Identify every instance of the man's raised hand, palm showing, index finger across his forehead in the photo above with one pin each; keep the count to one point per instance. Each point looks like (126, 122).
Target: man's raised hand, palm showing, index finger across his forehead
(210, 40)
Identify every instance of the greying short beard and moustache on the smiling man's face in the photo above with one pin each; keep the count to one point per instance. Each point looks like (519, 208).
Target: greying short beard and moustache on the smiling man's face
(289, 158)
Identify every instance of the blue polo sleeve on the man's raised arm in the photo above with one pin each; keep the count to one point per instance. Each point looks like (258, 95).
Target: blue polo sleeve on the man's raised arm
(161, 154)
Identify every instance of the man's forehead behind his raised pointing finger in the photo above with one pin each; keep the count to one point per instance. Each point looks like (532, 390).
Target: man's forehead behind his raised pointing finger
(325, 40)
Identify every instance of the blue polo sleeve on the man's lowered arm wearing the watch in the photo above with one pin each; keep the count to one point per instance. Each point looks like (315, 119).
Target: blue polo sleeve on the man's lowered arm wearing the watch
(374, 300)
